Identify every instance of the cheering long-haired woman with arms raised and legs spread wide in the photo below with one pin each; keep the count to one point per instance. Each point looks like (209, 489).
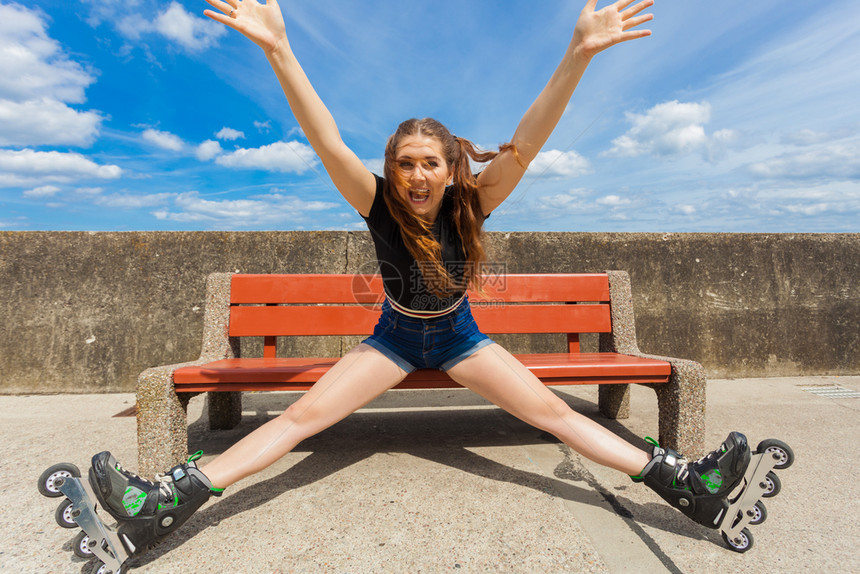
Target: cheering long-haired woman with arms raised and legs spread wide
(425, 216)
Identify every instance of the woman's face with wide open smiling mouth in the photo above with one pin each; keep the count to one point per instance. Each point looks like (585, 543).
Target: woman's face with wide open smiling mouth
(421, 163)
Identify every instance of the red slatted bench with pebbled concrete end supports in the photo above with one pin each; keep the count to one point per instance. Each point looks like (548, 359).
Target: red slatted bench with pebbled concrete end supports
(272, 306)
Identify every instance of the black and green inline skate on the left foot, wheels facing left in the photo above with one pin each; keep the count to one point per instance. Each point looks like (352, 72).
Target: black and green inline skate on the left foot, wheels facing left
(145, 511)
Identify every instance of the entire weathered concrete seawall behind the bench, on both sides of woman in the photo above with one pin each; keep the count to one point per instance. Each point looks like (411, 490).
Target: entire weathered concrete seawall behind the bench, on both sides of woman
(86, 312)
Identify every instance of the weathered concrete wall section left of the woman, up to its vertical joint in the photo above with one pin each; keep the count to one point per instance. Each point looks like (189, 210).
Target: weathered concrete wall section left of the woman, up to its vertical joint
(87, 312)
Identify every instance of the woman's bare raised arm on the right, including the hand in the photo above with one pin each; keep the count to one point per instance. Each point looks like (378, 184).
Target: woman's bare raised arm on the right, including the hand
(595, 31)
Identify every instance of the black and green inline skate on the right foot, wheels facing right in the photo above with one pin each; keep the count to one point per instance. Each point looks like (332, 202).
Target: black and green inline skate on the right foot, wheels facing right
(722, 489)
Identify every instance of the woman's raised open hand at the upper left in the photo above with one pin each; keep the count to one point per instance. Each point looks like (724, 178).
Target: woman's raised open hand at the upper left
(263, 24)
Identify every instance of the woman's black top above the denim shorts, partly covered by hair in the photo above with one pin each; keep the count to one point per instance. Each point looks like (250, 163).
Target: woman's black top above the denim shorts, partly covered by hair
(405, 283)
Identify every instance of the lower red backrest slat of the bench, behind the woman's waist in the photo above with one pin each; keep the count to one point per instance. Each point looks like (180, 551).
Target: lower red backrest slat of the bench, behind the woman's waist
(353, 320)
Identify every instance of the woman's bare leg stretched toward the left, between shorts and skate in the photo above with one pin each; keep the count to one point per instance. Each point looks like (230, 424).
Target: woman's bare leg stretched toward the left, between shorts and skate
(359, 377)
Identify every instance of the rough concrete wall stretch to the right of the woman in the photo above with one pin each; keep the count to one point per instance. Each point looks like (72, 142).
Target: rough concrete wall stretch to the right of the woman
(744, 305)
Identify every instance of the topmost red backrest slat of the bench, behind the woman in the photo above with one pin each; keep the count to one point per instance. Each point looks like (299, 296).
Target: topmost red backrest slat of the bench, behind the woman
(367, 289)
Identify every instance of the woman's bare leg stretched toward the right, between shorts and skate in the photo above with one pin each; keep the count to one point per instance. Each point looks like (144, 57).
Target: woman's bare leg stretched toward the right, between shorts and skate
(497, 376)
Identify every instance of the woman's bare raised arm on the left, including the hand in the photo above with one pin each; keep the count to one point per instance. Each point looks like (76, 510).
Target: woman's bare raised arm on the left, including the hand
(264, 25)
